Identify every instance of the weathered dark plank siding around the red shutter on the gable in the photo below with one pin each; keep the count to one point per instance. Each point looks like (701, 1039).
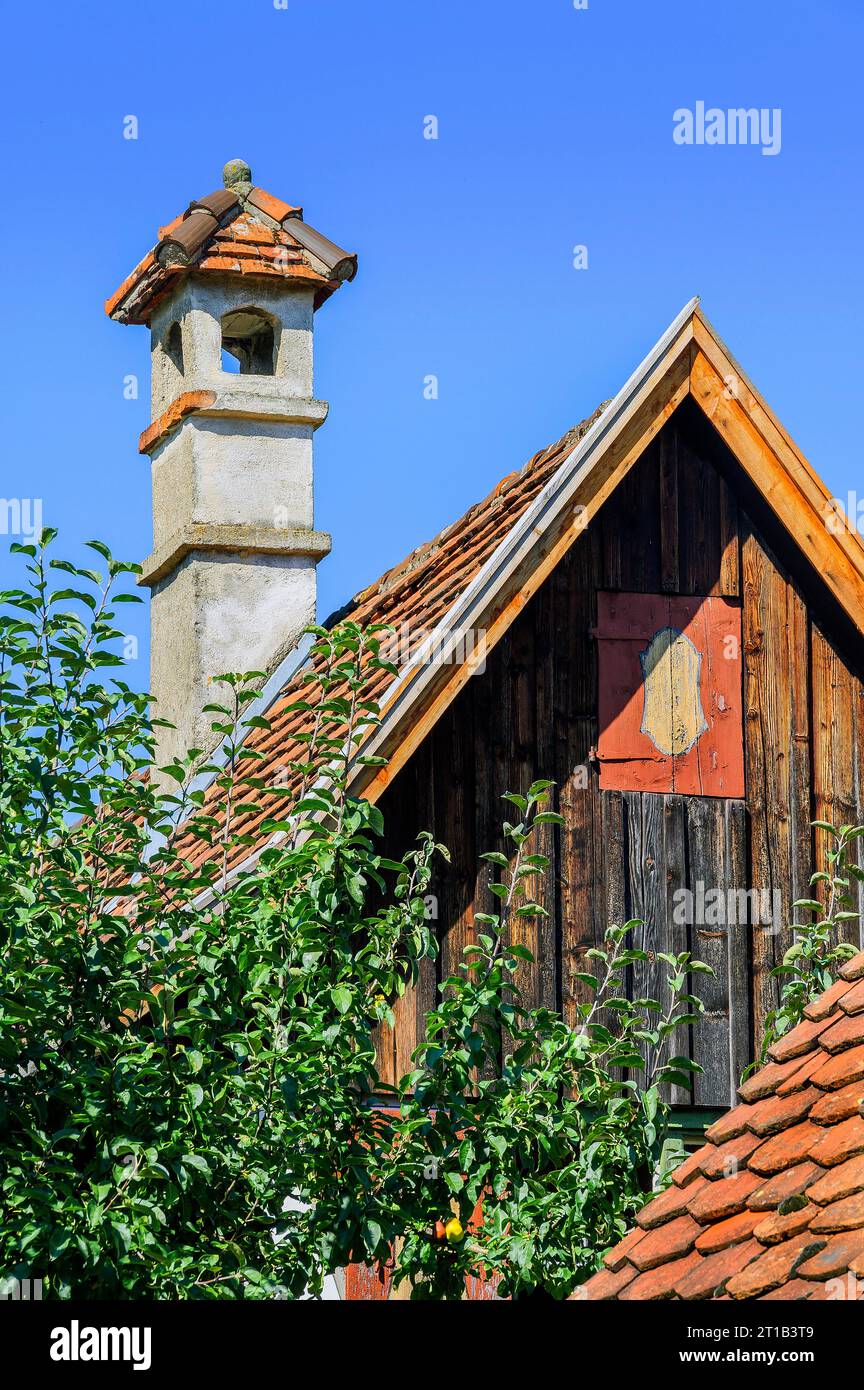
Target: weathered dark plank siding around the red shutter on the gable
(684, 522)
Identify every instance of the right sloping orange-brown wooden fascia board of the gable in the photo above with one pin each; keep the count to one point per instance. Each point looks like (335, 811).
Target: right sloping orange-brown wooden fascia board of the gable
(783, 476)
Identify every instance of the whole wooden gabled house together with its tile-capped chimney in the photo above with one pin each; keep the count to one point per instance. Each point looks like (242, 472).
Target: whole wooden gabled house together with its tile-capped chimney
(663, 612)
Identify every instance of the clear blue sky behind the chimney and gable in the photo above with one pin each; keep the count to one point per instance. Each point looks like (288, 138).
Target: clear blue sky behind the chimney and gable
(555, 130)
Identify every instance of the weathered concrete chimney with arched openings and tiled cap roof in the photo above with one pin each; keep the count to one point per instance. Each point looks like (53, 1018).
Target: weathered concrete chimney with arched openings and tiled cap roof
(230, 293)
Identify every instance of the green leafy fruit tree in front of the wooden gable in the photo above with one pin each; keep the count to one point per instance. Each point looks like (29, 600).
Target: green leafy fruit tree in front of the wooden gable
(190, 1099)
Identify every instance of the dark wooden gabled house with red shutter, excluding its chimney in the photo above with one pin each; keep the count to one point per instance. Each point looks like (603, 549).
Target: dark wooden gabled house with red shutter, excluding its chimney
(665, 614)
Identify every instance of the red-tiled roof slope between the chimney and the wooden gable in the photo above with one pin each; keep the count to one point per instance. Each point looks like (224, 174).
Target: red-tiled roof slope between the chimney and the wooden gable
(413, 598)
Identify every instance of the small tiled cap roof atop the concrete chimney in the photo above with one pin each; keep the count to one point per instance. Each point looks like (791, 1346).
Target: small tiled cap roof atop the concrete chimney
(240, 230)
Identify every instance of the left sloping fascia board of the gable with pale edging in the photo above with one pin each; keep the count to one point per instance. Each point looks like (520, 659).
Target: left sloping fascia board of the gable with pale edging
(560, 514)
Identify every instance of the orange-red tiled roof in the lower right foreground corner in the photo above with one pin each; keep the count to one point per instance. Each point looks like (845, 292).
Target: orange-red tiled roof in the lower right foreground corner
(773, 1206)
